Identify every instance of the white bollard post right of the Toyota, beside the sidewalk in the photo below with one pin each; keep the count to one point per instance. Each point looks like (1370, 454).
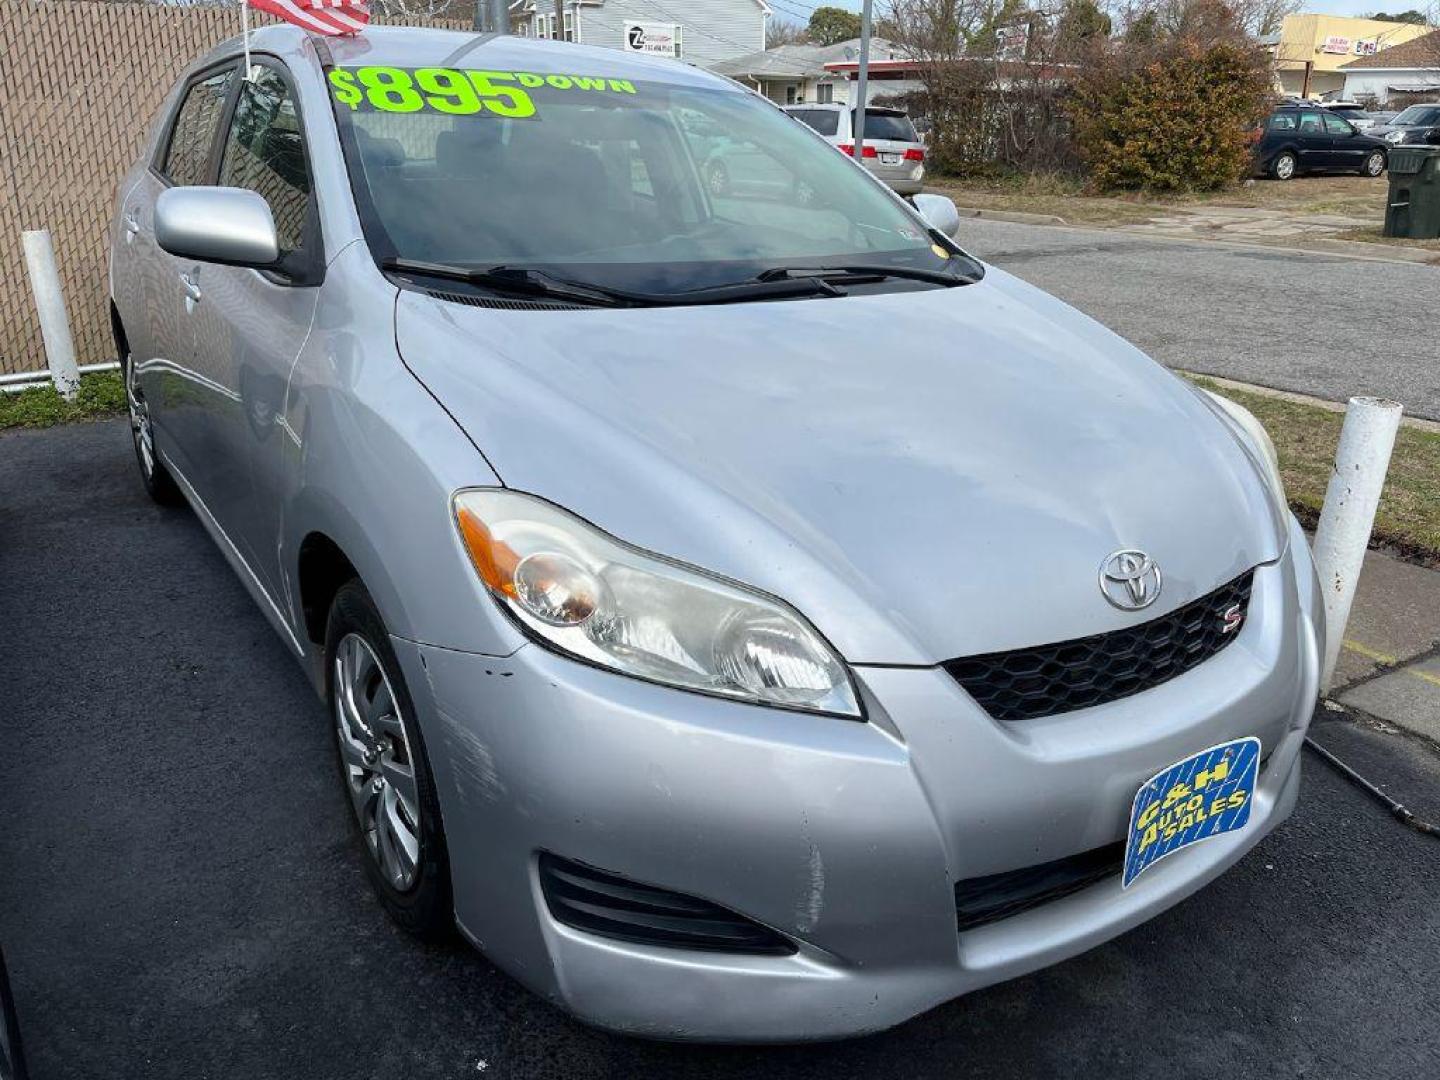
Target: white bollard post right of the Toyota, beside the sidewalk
(1349, 515)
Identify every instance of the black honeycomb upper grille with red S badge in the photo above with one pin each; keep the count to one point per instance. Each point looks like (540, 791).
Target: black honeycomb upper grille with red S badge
(1048, 680)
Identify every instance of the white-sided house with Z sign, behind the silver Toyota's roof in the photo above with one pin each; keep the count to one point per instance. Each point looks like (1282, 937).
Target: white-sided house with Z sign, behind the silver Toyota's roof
(701, 32)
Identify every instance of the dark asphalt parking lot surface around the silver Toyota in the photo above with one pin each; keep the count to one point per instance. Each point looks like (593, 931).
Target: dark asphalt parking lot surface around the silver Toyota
(179, 895)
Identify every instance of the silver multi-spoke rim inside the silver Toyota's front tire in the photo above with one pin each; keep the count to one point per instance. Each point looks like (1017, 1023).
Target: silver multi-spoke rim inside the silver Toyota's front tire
(379, 767)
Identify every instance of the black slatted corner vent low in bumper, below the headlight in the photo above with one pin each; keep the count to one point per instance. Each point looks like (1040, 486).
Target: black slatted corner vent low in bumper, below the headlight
(614, 906)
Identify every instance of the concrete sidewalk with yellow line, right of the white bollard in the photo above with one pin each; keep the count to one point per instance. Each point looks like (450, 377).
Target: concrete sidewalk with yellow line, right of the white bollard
(1390, 660)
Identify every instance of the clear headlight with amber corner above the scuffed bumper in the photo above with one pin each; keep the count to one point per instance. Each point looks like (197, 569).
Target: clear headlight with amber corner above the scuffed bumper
(585, 594)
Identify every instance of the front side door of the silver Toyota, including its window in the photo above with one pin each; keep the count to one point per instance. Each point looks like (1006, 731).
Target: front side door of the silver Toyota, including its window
(251, 325)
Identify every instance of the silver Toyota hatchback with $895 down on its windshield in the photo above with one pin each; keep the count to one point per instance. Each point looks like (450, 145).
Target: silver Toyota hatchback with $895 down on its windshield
(719, 676)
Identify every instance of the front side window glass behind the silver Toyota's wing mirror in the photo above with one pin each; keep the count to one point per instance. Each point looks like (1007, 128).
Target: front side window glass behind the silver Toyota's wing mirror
(266, 153)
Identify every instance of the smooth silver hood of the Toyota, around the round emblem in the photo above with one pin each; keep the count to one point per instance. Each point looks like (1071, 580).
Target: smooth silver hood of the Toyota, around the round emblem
(925, 474)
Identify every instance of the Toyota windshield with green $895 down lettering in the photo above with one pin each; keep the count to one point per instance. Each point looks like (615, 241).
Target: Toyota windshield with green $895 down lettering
(643, 186)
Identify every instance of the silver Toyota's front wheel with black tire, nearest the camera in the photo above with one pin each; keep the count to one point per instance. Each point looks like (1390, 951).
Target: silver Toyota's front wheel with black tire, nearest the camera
(385, 770)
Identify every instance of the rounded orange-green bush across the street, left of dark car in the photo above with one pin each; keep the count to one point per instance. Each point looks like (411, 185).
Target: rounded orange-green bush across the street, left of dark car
(1179, 123)
